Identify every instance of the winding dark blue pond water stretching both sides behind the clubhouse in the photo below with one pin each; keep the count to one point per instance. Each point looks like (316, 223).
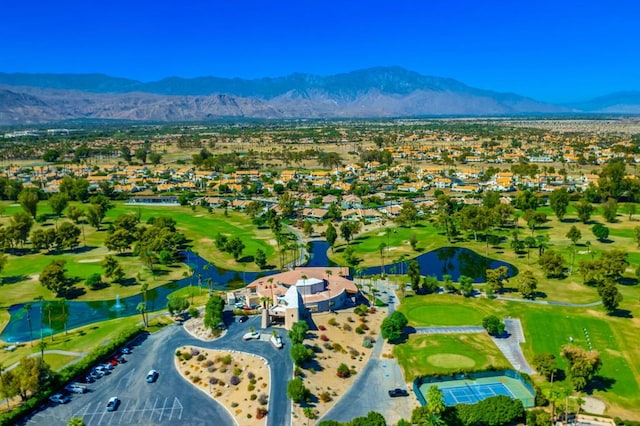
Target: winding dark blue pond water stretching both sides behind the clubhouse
(453, 261)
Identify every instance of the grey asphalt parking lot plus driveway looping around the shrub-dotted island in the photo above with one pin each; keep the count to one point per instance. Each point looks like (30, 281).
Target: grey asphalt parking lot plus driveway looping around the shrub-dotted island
(171, 399)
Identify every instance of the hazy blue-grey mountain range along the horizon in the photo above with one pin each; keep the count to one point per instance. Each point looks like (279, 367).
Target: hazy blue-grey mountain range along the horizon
(369, 93)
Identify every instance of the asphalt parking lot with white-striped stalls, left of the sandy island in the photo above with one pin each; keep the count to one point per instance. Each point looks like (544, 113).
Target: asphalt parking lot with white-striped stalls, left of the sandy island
(169, 400)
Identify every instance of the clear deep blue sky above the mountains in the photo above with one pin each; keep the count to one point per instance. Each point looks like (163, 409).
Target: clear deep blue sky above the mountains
(560, 50)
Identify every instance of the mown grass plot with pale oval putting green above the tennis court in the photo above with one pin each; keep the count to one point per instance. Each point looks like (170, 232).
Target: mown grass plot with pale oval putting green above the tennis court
(447, 353)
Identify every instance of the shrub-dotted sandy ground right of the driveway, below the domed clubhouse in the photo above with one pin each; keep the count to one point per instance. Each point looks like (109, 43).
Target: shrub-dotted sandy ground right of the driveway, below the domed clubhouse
(320, 375)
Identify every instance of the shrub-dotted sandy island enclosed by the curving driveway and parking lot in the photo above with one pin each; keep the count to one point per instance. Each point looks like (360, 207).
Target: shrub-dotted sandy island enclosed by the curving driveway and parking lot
(237, 380)
